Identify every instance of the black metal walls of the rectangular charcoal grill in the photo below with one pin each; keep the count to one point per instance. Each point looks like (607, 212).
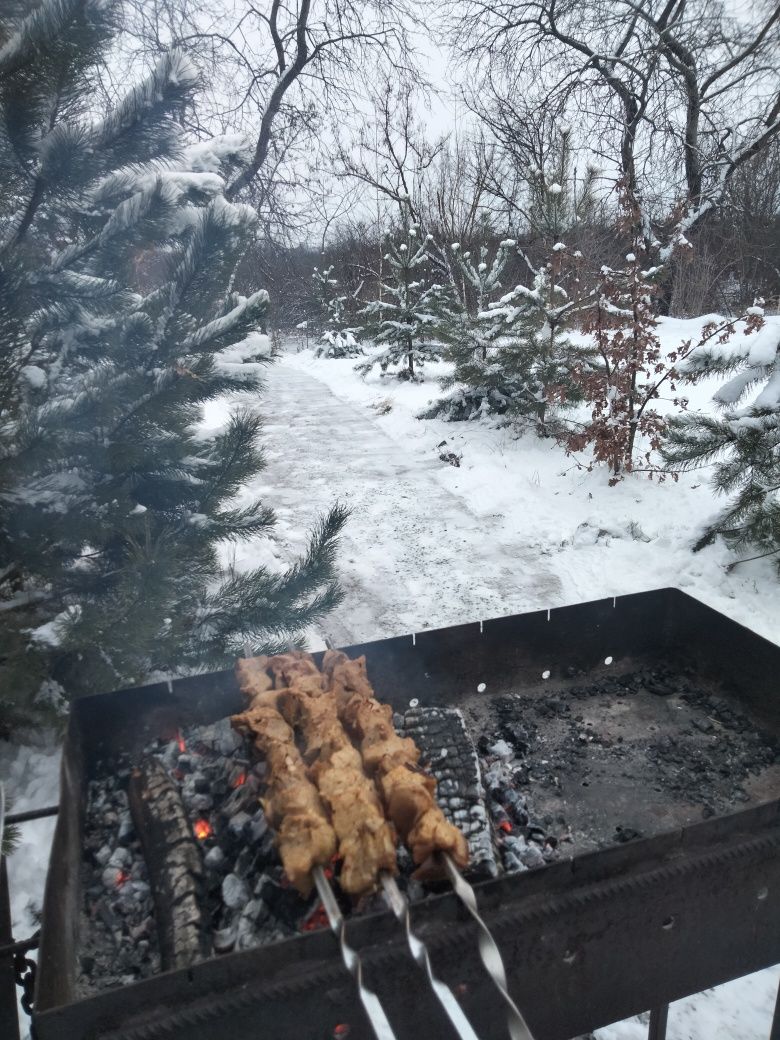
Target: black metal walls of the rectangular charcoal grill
(587, 942)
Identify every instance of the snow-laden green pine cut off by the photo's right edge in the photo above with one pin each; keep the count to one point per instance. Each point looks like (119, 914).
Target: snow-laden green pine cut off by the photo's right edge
(744, 443)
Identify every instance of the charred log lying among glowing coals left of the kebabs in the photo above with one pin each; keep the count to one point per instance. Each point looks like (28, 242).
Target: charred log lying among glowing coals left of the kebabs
(175, 867)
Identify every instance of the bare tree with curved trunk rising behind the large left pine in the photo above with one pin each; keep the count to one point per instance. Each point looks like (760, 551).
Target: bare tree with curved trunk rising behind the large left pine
(271, 72)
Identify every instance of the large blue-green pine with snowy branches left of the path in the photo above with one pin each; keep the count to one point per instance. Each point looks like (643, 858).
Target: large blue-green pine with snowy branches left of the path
(117, 325)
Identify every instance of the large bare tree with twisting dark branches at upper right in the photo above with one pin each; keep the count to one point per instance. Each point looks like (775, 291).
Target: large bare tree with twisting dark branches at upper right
(684, 94)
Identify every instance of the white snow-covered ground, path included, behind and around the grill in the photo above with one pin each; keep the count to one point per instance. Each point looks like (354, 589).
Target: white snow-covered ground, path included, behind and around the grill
(515, 528)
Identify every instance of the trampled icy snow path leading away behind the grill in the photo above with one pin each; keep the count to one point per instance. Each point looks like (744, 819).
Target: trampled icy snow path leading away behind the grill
(413, 555)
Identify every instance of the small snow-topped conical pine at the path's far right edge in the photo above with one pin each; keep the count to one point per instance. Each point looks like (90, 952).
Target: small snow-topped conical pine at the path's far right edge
(407, 317)
